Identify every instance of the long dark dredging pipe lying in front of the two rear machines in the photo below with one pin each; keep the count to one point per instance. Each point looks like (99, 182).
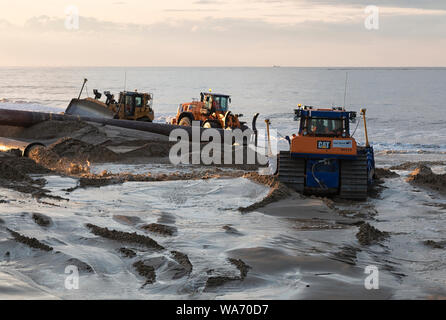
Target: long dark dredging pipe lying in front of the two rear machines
(28, 118)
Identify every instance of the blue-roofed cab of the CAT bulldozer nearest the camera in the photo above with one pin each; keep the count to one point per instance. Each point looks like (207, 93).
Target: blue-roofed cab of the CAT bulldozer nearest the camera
(333, 122)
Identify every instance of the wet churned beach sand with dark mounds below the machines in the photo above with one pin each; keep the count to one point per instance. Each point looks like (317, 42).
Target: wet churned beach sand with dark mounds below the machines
(198, 232)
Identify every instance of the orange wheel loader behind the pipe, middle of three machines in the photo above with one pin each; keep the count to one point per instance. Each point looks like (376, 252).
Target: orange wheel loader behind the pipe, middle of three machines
(212, 111)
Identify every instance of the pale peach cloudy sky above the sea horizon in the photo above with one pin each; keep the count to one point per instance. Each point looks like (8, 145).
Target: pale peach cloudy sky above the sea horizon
(305, 33)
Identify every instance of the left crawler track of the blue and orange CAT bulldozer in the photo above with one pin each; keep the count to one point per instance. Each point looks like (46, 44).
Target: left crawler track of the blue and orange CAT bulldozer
(291, 171)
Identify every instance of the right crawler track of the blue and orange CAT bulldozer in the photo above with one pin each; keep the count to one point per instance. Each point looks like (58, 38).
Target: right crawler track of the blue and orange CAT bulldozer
(354, 178)
